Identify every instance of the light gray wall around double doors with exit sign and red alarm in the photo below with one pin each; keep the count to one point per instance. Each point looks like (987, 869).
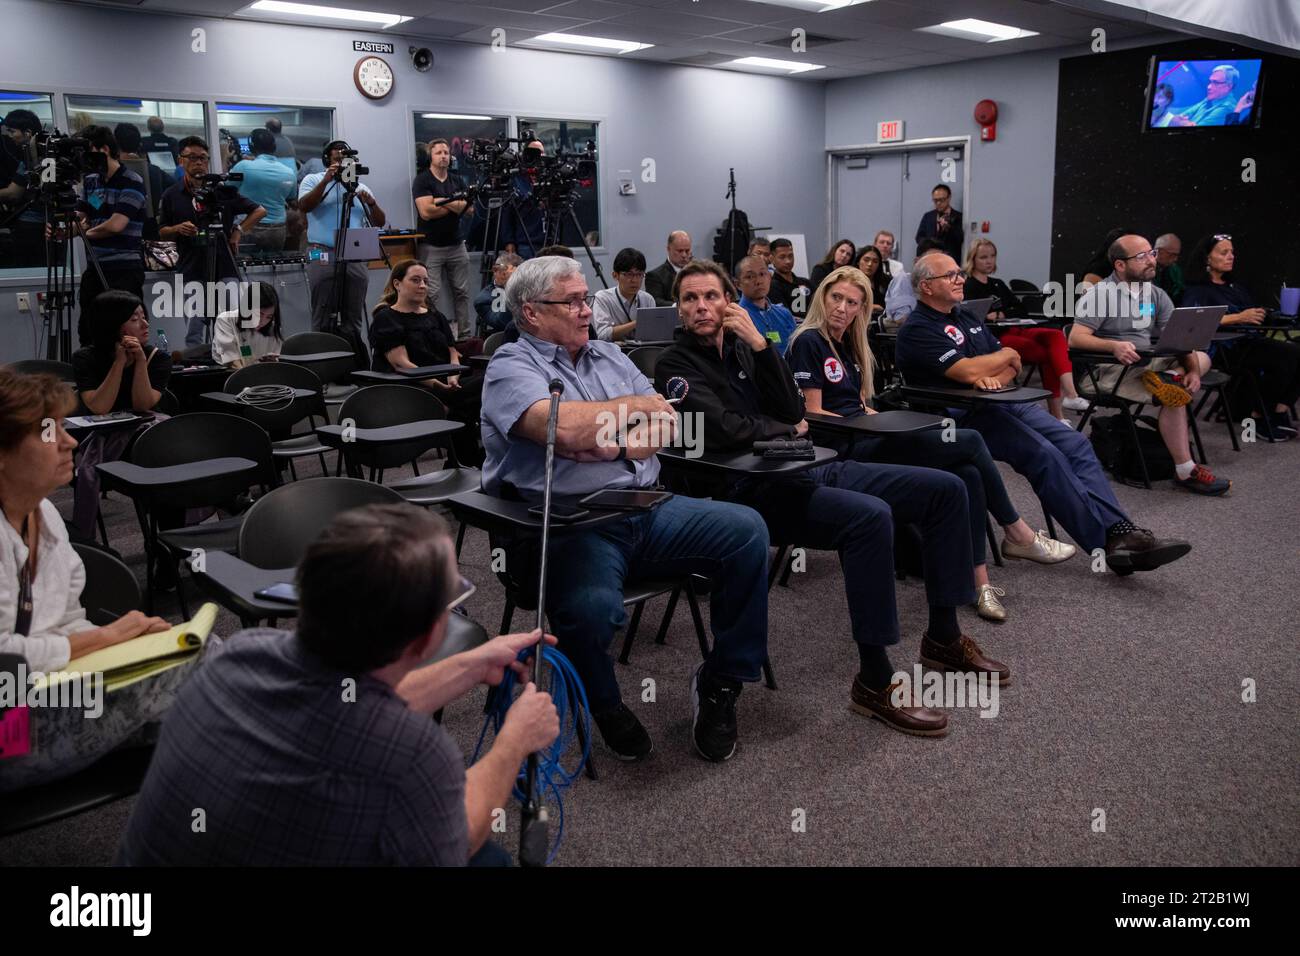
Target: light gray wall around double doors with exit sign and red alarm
(1011, 178)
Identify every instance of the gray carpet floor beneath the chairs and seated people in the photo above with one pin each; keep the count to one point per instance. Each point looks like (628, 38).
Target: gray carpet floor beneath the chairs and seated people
(1126, 698)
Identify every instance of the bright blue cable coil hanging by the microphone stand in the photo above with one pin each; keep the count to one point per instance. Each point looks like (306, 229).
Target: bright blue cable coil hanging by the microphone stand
(570, 699)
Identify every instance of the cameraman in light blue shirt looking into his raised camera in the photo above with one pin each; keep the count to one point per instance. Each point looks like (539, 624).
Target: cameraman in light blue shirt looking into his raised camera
(322, 197)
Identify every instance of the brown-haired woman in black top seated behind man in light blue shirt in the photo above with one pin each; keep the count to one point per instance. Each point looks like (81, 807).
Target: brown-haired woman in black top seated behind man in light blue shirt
(408, 331)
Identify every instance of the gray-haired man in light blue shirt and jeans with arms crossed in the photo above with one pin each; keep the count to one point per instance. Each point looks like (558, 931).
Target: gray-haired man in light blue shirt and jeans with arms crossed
(605, 392)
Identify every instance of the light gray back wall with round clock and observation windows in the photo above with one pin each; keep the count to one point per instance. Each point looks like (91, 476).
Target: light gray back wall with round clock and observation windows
(687, 119)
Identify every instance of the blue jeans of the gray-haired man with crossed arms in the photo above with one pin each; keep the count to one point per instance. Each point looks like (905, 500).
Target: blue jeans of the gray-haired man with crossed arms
(683, 537)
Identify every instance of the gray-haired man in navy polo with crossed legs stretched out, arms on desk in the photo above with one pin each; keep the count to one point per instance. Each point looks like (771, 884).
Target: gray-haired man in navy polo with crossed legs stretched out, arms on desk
(943, 345)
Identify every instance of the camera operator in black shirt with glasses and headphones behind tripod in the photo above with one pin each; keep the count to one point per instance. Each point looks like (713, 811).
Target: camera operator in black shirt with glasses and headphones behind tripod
(190, 211)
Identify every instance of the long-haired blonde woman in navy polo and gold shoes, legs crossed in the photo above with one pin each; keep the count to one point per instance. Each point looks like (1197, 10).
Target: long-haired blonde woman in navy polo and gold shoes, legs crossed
(834, 367)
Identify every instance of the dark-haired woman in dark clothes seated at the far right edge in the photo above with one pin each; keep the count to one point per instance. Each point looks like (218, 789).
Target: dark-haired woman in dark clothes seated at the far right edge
(1272, 364)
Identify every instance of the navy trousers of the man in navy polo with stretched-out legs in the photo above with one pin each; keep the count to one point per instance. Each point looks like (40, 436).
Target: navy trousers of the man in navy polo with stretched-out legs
(1059, 464)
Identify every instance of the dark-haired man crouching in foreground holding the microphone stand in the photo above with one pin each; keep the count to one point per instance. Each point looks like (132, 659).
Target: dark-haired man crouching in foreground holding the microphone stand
(318, 747)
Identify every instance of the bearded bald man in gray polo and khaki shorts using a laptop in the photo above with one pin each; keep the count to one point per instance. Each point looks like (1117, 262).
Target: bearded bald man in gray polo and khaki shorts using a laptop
(1117, 317)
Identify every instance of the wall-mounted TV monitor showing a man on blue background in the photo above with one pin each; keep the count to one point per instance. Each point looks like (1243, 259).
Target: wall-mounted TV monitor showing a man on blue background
(1201, 94)
